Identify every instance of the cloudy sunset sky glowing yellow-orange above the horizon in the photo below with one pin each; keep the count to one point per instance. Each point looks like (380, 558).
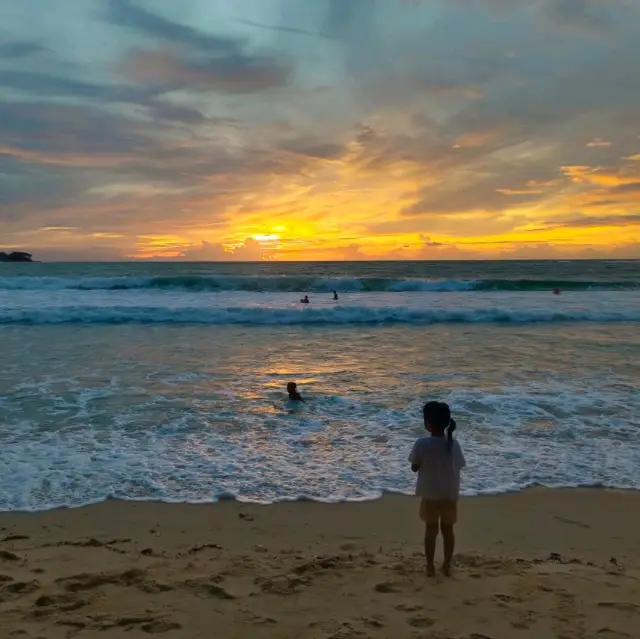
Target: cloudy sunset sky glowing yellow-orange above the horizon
(320, 129)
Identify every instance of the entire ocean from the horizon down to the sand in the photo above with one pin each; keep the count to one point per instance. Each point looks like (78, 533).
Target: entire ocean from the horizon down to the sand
(166, 381)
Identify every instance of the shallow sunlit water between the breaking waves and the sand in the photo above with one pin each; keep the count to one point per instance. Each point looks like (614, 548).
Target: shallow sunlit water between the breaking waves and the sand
(199, 415)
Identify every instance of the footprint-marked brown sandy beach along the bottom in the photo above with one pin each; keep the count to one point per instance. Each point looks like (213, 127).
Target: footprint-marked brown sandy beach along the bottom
(541, 563)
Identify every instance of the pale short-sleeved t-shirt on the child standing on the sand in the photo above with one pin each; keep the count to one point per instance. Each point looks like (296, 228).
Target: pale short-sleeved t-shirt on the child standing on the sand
(439, 474)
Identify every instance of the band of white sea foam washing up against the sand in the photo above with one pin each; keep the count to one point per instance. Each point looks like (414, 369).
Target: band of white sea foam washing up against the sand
(182, 461)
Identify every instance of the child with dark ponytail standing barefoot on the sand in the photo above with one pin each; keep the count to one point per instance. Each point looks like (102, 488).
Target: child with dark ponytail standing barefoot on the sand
(438, 460)
